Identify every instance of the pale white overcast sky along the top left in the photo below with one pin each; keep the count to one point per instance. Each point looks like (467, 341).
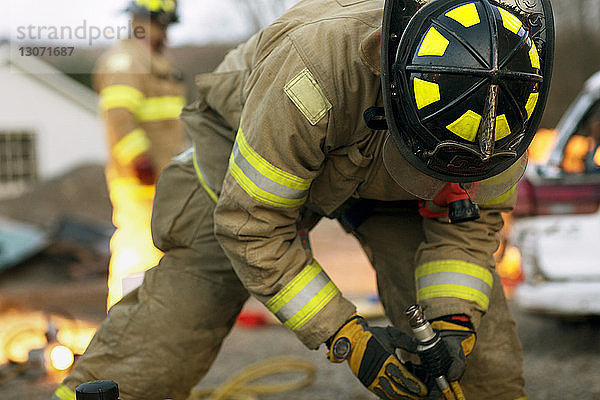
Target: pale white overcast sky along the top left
(202, 21)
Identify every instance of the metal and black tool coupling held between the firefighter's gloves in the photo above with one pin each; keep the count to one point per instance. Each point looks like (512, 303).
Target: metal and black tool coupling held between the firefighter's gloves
(433, 353)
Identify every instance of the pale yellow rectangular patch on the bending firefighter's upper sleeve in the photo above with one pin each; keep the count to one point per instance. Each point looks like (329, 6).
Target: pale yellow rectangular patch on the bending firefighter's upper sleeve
(308, 96)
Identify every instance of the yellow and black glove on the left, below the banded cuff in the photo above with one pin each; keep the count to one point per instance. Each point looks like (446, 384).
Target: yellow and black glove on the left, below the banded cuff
(370, 353)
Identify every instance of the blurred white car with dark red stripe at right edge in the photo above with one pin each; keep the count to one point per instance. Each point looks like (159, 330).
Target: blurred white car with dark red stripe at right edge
(557, 219)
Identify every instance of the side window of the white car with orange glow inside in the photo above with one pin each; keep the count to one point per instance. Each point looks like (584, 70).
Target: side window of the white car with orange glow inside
(581, 154)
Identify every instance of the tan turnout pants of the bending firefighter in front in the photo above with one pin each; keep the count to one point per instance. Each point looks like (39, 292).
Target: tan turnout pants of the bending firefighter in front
(161, 339)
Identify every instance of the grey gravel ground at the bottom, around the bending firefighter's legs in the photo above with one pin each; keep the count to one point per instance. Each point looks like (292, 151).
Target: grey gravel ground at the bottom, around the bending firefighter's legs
(562, 362)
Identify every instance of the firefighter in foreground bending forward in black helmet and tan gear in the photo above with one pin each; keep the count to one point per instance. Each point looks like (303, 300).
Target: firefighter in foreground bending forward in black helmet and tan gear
(290, 128)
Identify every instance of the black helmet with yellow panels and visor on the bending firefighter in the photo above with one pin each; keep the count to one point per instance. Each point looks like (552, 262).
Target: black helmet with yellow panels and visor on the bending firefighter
(464, 90)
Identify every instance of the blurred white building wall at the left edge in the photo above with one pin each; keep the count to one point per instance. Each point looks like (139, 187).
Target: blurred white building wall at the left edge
(68, 134)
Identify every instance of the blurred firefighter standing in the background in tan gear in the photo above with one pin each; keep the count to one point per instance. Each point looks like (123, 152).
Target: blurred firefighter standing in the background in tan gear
(141, 96)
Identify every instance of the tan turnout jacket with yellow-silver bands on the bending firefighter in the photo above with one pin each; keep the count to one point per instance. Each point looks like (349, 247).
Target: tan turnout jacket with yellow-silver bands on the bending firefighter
(291, 101)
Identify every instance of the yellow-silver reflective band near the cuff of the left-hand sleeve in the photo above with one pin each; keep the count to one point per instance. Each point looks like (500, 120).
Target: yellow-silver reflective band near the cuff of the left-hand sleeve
(303, 297)
